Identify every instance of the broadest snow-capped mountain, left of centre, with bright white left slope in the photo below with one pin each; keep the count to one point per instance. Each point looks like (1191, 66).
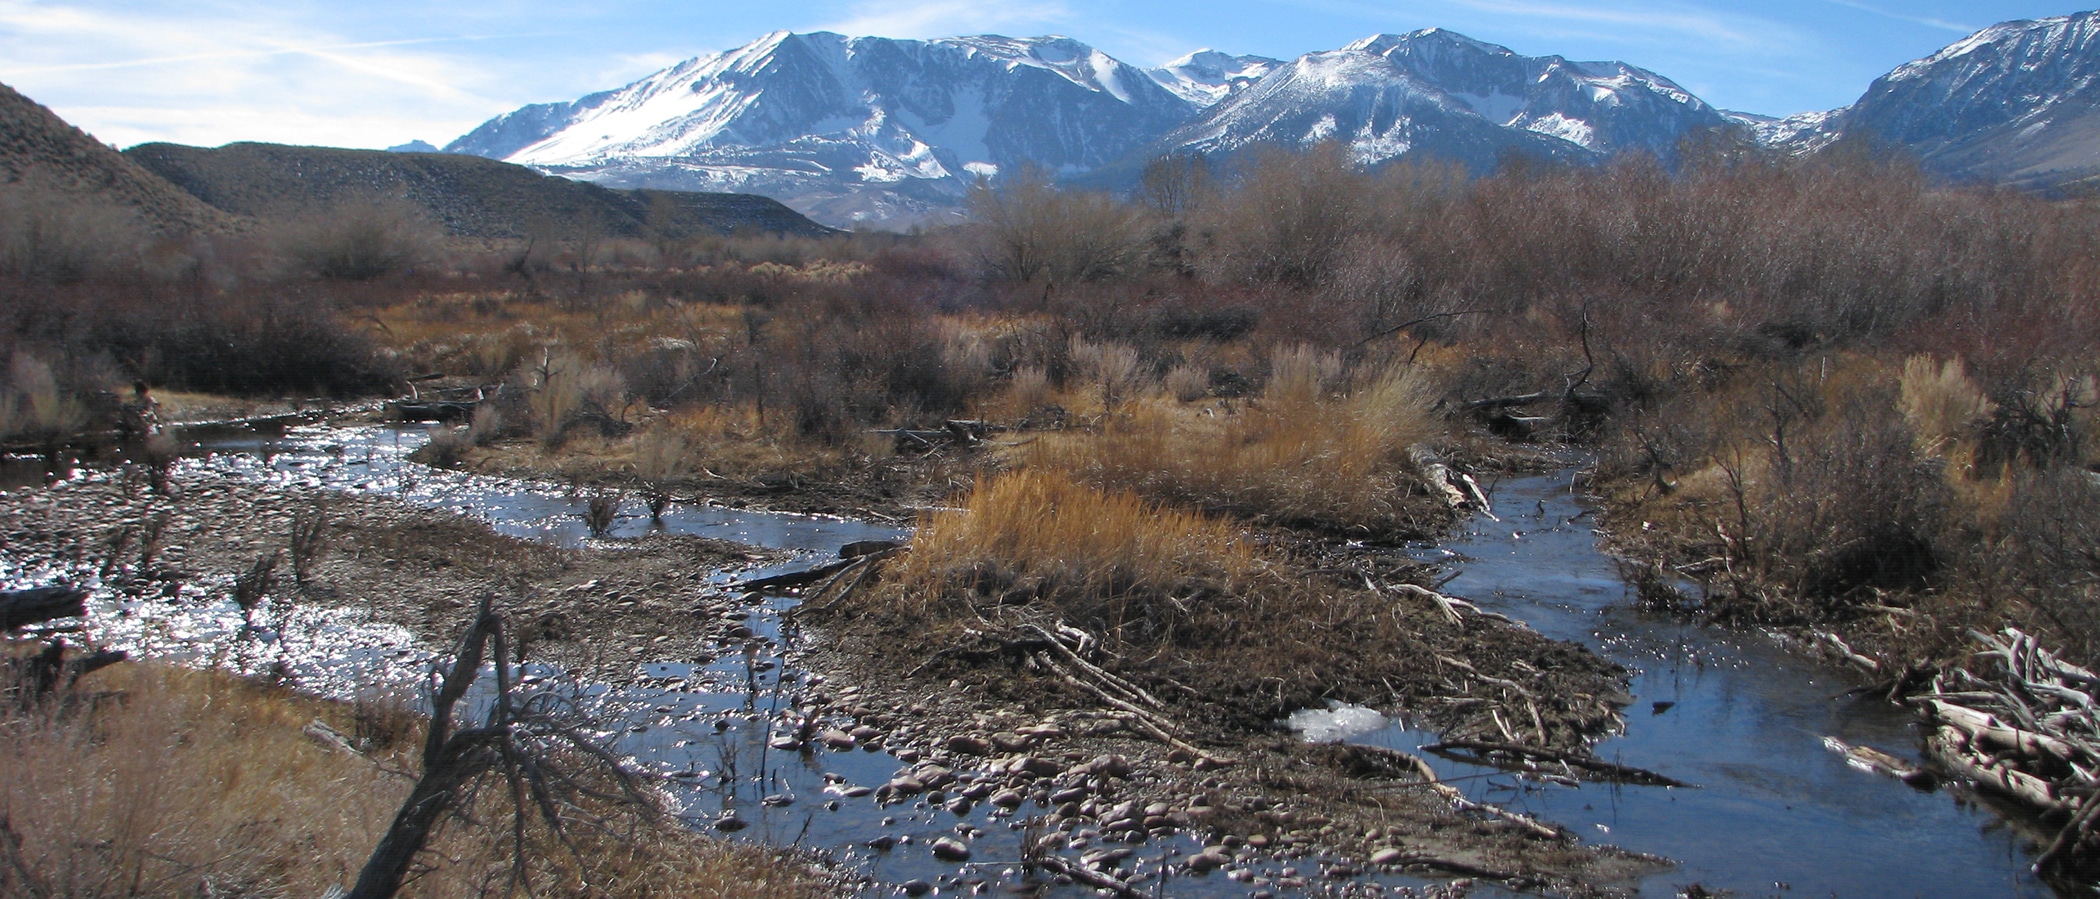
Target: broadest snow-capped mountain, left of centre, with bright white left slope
(847, 127)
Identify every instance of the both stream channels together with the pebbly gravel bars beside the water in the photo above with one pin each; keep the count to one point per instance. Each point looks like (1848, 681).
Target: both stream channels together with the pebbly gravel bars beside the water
(795, 743)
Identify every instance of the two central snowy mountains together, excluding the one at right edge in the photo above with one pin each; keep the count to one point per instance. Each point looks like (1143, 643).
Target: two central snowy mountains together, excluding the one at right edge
(877, 129)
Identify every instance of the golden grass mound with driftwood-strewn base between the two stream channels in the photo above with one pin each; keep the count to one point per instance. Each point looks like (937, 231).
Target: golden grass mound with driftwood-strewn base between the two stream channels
(1183, 604)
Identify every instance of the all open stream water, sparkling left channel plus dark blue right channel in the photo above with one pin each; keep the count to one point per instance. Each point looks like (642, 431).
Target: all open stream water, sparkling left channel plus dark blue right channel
(1738, 715)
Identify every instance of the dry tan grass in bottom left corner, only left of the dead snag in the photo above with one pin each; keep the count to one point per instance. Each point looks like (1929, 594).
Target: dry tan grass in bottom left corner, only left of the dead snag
(188, 780)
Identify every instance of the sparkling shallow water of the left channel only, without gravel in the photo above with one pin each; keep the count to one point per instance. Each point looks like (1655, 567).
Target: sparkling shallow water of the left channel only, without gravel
(705, 728)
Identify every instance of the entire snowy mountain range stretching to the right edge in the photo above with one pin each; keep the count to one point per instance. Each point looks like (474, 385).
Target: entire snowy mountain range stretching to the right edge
(879, 129)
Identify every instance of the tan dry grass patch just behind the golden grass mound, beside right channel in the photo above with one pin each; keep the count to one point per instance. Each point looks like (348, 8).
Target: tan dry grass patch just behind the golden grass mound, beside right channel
(1299, 457)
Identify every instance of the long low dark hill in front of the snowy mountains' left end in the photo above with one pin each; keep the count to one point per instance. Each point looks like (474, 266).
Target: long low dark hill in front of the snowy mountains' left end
(467, 196)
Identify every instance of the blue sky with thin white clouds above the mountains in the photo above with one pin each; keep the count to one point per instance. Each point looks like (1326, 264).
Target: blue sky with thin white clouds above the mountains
(383, 72)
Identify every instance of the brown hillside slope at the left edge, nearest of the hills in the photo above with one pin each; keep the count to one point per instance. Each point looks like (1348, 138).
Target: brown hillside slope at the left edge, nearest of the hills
(41, 150)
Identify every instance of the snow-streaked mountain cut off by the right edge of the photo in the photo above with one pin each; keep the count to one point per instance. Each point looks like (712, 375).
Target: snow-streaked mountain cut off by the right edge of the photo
(2011, 104)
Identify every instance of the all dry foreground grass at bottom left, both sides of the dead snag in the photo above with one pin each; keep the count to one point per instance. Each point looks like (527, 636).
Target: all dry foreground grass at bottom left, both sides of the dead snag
(182, 785)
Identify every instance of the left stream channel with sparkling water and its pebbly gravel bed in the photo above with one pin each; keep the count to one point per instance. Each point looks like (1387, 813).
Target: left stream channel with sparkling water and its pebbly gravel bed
(721, 696)
